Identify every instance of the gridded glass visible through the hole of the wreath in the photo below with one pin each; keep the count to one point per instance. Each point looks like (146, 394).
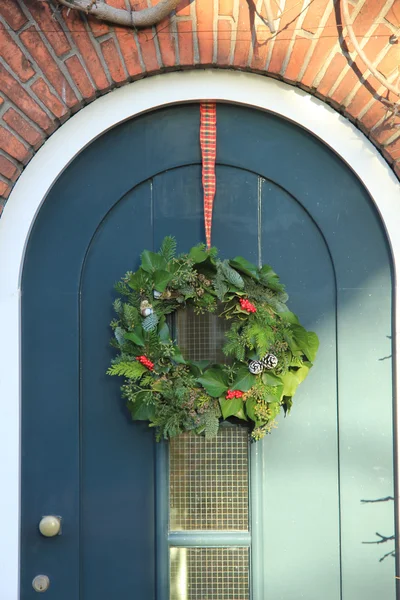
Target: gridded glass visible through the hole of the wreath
(201, 337)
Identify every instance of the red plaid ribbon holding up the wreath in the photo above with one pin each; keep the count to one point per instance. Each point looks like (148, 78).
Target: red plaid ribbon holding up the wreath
(208, 144)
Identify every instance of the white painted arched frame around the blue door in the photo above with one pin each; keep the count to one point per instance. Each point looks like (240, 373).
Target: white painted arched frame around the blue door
(66, 143)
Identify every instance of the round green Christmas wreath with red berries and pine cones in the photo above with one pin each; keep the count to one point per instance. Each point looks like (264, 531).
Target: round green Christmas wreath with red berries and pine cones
(269, 352)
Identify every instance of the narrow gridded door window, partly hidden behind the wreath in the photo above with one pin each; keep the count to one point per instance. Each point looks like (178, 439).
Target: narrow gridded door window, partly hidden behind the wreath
(208, 501)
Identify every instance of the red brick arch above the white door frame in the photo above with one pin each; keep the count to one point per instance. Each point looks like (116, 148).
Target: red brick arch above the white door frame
(52, 63)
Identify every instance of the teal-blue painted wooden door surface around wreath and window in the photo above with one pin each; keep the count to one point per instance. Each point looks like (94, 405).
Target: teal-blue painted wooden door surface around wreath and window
(323, 476)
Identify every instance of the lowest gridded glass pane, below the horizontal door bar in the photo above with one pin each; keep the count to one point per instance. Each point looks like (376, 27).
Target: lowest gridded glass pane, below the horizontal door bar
(209, 574)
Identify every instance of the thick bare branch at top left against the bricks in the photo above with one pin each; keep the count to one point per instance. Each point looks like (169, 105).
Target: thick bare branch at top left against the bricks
(141, 18)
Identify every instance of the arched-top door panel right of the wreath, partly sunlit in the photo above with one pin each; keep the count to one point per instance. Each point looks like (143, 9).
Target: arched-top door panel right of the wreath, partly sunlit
(301, 457)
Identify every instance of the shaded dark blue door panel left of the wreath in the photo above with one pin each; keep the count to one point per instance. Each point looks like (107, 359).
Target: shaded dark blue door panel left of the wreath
(117, 455)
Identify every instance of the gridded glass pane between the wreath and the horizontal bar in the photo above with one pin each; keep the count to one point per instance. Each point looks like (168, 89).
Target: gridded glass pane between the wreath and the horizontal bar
(209, 481)
